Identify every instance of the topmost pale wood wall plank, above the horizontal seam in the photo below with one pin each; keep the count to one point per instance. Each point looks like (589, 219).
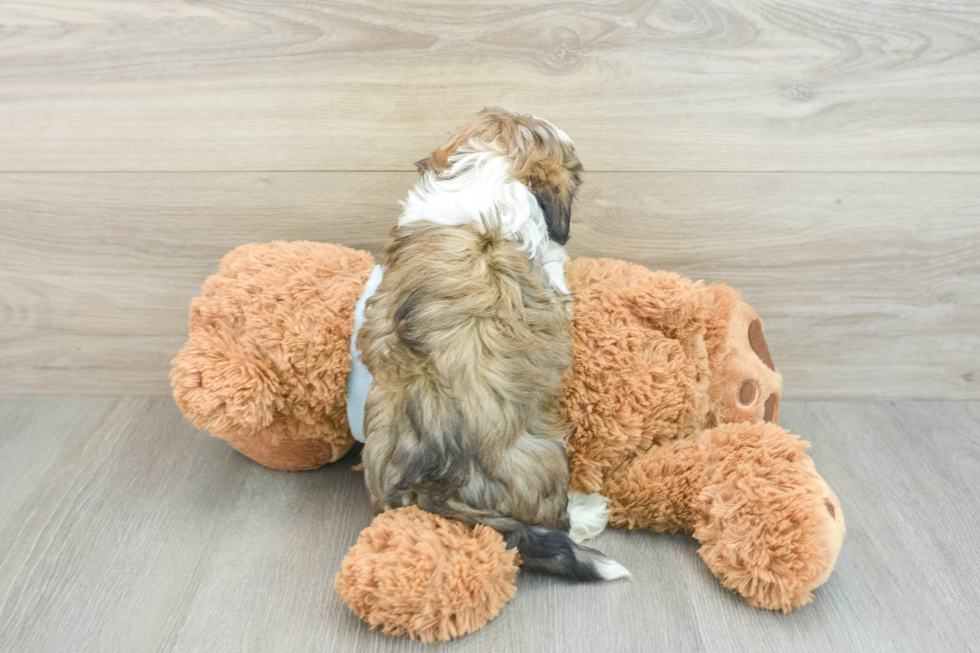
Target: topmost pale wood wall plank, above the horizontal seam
(744, 85)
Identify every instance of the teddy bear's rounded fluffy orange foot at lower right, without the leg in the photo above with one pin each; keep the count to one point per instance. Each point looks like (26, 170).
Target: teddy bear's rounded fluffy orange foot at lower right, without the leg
(771, 527)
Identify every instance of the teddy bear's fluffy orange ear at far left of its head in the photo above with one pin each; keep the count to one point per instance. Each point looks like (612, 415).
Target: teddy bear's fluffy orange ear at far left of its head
(221, 389)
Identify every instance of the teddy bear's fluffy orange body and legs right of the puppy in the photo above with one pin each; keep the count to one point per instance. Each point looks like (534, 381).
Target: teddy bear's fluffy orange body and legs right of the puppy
(662, 426)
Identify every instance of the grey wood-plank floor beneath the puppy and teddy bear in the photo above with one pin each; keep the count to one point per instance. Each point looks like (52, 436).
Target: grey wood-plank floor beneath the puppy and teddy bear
(124, 529)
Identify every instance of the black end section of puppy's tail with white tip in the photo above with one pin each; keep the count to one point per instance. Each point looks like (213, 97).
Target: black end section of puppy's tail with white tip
(551, 550)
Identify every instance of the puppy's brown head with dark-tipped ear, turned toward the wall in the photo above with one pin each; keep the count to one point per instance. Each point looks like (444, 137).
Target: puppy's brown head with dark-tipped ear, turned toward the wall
(540, 155)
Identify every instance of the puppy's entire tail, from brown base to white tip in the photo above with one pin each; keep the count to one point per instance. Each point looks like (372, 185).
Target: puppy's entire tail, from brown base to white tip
(541, 547)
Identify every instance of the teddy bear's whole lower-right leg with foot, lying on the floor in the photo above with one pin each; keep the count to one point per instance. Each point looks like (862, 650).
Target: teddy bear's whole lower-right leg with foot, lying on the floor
(769, 526)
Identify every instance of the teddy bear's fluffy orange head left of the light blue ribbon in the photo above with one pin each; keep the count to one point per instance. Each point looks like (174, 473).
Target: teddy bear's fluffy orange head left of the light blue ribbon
(265, 366)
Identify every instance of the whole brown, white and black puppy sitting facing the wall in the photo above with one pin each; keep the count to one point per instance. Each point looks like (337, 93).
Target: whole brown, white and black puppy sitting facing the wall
(467, 338)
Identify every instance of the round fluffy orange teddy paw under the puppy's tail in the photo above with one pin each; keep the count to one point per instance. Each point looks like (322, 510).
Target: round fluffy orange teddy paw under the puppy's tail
(418, 574)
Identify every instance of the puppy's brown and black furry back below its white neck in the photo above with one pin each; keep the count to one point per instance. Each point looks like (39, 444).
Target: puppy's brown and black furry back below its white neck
(467, 348)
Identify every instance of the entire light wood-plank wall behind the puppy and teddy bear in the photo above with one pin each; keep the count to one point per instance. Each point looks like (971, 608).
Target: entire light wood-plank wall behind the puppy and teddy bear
(821, 157)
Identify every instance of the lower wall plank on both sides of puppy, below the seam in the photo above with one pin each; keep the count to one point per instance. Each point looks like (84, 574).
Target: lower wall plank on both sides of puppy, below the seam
(869, 284)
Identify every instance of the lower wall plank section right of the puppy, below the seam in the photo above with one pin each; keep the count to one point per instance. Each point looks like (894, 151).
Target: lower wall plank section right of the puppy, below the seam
(869, 285)
